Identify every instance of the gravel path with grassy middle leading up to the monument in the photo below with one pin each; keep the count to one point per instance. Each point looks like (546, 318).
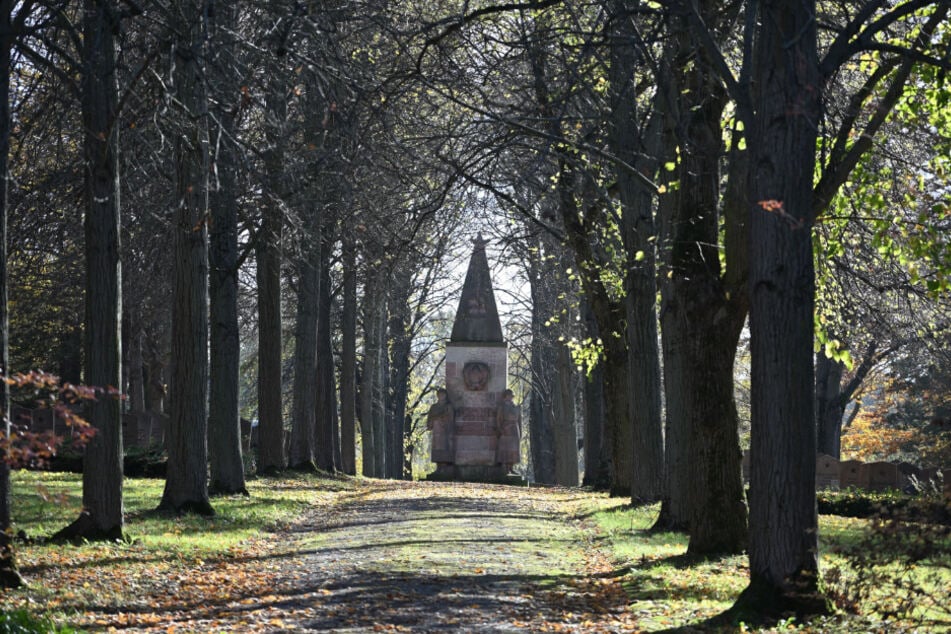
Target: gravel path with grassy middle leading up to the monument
(447, 557)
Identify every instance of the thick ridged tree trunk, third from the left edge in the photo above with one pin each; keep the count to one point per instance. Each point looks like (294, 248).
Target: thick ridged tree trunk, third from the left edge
(186, 483)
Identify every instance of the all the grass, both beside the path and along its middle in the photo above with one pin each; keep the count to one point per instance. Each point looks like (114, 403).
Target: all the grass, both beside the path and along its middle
(176, 565)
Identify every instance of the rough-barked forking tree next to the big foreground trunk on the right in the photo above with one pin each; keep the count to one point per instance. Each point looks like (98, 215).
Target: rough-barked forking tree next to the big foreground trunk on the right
(704, 302)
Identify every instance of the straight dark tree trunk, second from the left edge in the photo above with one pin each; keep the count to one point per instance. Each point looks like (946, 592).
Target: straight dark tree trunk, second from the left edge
(101, 517)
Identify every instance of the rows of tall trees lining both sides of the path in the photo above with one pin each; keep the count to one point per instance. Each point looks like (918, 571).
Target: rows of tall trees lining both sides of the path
(707, 153)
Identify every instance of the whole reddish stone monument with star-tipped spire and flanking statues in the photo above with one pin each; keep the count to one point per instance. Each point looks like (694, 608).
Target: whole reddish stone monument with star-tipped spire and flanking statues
(485, 427)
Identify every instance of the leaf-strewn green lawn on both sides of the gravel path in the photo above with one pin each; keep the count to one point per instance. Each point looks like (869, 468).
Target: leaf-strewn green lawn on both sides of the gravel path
(170, 563)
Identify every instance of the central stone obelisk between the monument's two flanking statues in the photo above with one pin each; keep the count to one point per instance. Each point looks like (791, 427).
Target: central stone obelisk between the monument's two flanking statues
(476, 371)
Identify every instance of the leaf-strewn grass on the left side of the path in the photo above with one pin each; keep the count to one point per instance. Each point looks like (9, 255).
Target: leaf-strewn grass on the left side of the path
(167, 559)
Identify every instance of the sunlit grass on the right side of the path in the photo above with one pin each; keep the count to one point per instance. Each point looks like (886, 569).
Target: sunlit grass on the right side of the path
(667, 590)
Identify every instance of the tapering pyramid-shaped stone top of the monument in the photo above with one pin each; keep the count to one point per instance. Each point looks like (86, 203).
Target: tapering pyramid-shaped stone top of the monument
(477, 320)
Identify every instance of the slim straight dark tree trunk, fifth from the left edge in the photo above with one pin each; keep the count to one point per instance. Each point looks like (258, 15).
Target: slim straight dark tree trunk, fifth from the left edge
(269, 254)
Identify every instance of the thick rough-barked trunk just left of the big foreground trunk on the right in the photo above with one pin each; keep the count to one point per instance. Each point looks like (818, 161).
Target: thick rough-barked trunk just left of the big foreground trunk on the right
(703, 315)
